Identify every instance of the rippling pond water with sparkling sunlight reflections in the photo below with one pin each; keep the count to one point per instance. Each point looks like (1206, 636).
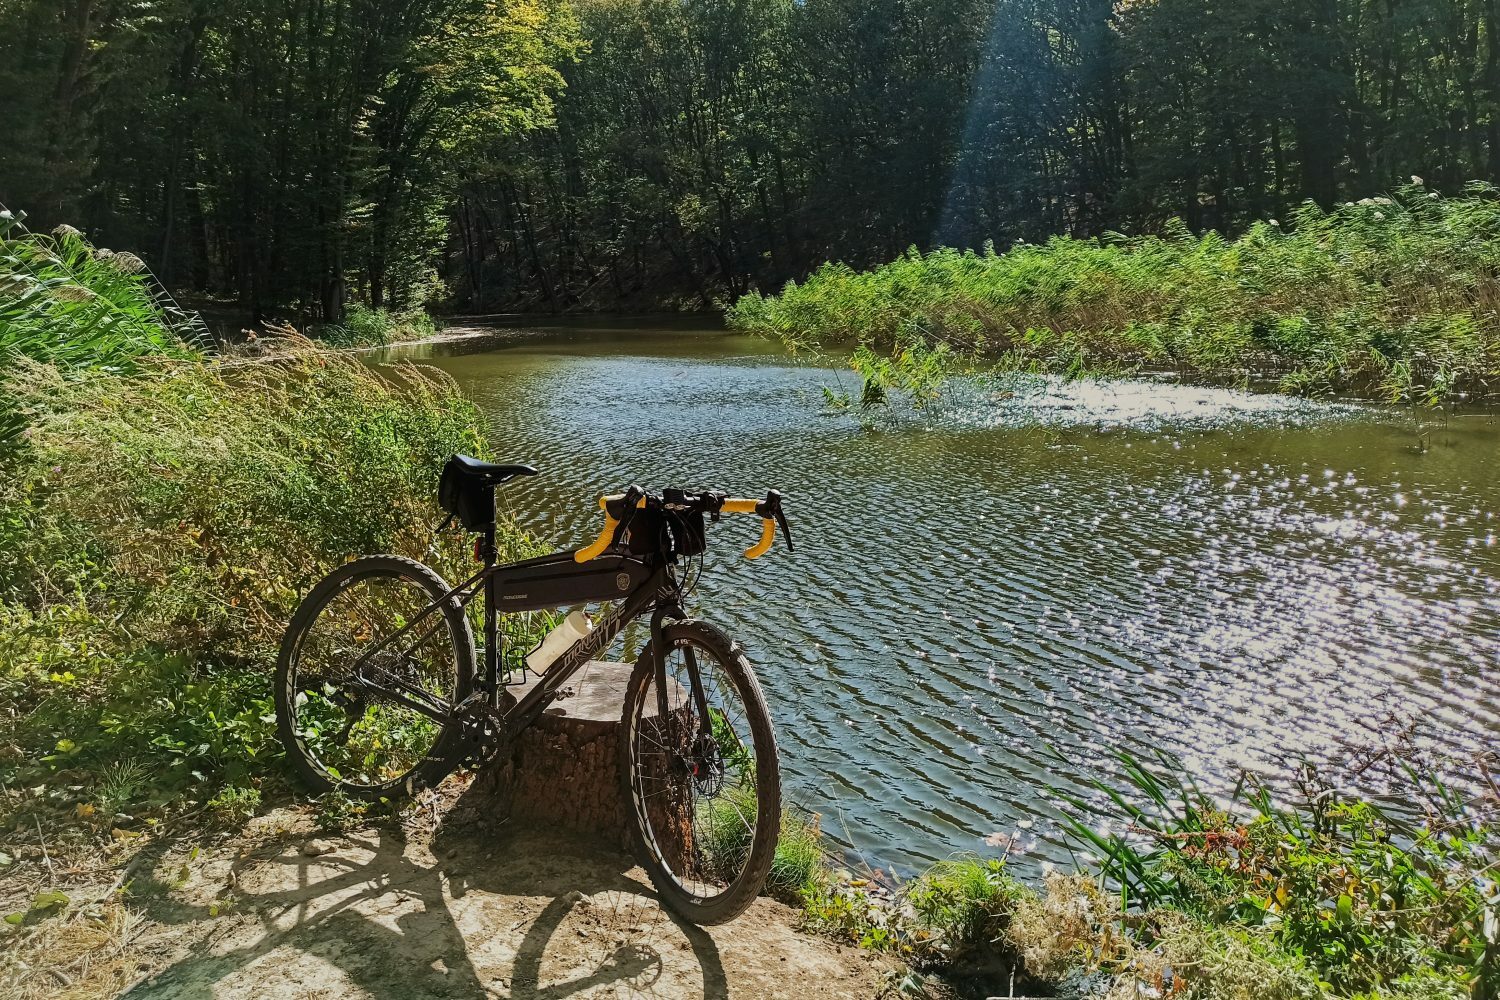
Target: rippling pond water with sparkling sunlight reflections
(1088, 567)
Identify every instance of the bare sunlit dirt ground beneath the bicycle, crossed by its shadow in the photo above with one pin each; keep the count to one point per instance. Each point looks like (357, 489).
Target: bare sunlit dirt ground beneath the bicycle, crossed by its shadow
(517, 915)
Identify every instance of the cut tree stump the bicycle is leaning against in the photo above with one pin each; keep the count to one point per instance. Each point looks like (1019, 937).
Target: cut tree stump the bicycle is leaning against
(566, 770)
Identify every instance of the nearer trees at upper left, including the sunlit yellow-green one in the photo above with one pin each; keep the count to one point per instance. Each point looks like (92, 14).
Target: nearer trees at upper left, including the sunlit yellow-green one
(332, 173)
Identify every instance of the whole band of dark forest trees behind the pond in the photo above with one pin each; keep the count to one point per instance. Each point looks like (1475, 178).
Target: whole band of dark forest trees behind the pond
(292, 158)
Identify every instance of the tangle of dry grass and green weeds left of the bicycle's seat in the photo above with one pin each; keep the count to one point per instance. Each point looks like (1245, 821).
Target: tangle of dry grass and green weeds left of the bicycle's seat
(161, 527)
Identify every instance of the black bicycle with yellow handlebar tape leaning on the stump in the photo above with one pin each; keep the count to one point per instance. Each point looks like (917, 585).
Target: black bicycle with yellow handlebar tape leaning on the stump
(377, 692)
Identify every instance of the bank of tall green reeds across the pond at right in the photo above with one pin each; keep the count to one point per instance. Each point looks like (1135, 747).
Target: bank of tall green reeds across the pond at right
(1391, 298)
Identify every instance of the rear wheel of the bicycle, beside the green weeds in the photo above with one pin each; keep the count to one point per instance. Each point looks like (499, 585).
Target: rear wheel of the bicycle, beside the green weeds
(367, 647)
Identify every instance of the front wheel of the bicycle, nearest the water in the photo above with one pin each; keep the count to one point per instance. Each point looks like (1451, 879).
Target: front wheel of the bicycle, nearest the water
(703, 776)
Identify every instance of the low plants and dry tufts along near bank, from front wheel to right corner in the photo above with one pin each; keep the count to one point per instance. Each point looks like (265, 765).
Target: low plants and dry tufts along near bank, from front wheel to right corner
(1207, 900)
